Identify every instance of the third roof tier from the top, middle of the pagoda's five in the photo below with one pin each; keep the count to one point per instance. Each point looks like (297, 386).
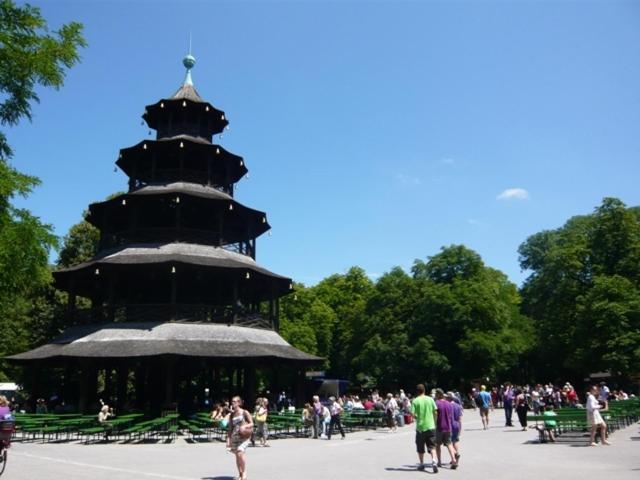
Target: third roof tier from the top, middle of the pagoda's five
(202, 208)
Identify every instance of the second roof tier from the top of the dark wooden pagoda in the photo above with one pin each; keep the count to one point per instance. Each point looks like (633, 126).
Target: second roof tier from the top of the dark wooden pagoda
(183, 157)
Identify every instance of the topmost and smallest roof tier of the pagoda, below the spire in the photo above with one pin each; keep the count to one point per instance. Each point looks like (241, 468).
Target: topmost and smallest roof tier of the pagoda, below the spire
(185, 110)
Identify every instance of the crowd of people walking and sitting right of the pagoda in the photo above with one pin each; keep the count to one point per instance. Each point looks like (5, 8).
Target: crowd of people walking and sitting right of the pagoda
(437, 415)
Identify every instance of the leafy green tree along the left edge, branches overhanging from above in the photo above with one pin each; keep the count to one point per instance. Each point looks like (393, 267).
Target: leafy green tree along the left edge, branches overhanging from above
(30, 56)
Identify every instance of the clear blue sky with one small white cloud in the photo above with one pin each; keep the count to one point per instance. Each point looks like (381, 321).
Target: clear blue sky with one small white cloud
(374, 132)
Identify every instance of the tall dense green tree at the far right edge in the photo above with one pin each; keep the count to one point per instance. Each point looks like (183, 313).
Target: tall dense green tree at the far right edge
(581, 292)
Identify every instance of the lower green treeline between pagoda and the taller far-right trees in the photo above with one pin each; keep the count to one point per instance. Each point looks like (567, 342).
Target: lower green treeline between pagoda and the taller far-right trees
(450, 321)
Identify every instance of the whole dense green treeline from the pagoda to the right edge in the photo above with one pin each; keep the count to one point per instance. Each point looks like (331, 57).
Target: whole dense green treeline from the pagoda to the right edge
(454, 320)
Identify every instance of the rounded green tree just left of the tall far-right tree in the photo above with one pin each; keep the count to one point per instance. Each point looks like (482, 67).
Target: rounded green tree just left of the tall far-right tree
(471, 314)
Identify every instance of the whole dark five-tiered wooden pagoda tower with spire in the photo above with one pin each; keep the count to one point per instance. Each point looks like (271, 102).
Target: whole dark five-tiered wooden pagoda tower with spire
(177, 300)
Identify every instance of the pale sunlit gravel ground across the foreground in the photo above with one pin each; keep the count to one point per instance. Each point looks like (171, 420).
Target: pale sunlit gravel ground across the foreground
(495, 454)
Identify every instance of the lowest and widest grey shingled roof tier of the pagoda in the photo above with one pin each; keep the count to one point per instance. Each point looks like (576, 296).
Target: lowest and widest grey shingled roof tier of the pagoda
(149, 339)
